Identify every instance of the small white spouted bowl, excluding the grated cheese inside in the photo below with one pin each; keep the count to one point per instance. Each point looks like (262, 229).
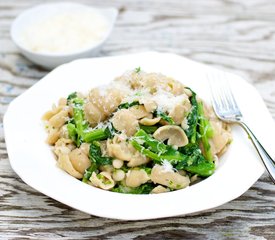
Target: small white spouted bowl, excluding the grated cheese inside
(52, 60)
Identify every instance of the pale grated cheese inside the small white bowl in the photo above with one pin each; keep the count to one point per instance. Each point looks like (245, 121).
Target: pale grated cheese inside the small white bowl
(65, 32)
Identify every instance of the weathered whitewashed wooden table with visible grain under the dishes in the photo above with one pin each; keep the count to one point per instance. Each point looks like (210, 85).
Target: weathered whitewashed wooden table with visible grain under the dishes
(238, 36)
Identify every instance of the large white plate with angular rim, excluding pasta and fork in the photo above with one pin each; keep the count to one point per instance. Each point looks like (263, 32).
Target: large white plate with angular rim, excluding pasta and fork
(32, 159)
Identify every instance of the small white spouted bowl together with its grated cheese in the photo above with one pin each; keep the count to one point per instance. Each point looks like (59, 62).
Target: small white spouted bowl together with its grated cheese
(55, 33)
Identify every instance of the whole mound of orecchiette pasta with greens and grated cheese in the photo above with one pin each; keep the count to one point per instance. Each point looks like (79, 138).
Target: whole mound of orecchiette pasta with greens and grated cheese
(144, 133)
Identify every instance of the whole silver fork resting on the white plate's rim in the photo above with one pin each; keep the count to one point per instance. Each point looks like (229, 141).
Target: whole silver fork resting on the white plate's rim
(226, 108)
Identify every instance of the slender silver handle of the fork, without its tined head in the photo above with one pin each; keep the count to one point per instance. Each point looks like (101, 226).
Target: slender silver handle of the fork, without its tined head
(267, 160)
